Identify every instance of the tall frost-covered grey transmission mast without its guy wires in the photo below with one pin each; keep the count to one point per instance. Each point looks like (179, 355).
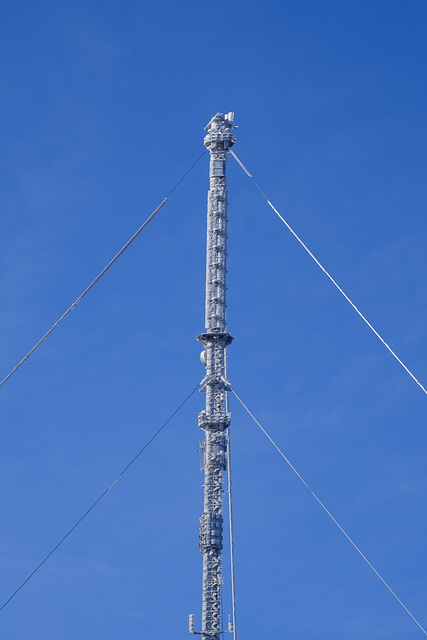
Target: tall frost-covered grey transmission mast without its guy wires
(214, 420)
